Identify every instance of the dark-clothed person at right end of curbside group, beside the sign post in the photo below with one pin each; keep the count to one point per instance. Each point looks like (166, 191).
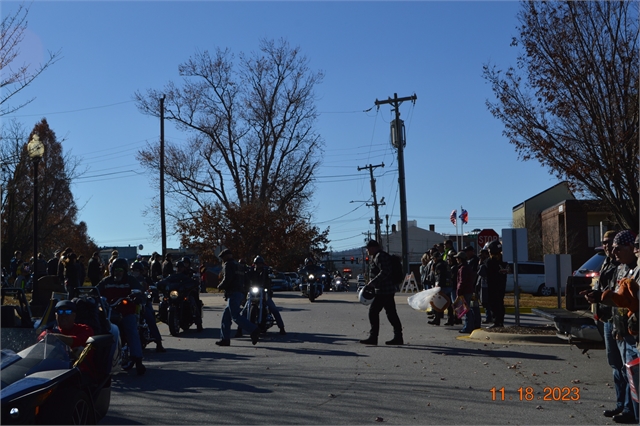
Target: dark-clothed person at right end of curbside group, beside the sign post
(496, 282)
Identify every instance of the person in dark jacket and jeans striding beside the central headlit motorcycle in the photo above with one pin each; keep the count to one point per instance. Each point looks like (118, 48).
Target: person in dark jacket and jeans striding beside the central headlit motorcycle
(232, 283)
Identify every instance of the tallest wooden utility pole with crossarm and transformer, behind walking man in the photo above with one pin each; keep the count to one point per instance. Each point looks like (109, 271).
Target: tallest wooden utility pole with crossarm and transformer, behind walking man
(398, 140)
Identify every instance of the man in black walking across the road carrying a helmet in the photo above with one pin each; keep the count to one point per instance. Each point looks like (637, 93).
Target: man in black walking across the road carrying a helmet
(385, 296)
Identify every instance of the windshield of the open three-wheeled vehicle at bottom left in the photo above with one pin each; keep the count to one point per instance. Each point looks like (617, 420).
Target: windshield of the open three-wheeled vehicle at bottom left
(48, 354)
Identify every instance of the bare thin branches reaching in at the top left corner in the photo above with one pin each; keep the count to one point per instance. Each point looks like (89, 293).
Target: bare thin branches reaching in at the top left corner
(15, 77)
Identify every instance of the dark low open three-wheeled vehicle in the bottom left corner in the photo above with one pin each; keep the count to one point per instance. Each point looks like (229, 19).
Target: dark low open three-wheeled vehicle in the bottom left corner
(46, 383)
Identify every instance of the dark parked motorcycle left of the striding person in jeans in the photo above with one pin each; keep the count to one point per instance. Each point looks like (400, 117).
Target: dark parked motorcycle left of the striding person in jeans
(180, 305)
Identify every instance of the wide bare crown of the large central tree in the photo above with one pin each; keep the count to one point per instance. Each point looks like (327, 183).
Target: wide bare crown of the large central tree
(252, 136)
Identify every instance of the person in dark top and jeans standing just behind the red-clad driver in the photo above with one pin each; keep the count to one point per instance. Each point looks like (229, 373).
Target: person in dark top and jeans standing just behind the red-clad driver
(119, 284)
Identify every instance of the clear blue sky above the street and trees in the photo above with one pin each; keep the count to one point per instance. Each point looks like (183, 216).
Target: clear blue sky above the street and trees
(455, 154)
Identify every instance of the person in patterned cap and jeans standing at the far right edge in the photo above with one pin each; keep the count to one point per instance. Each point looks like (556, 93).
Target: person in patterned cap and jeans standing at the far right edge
(623, 248)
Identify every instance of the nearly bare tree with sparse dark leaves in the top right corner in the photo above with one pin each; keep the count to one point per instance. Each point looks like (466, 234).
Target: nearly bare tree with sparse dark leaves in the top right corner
(575, 110)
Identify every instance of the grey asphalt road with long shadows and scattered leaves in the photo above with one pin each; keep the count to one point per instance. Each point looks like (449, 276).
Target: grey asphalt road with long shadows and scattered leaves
(319, 374)
